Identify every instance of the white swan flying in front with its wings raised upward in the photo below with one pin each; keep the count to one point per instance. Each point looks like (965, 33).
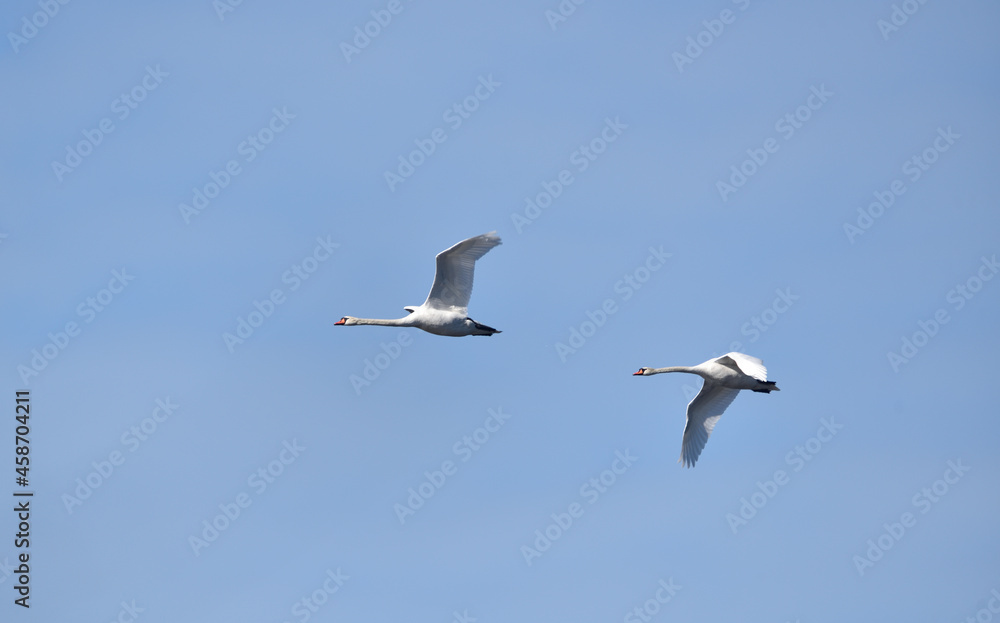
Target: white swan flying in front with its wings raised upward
(445, 312)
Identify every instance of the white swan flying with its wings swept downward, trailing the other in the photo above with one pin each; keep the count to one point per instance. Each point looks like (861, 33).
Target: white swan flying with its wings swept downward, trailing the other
(724, 377)
